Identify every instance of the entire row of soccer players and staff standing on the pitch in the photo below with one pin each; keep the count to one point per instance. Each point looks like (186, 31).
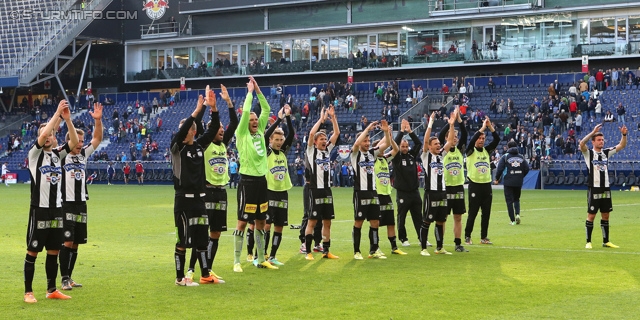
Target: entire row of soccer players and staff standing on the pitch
(58, 207)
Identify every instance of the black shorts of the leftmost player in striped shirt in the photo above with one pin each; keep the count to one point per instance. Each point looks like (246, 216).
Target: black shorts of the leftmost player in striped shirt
(45, 229)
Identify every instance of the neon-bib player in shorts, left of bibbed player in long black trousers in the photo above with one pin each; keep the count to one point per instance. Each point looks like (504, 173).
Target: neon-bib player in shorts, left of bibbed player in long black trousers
(454, 178)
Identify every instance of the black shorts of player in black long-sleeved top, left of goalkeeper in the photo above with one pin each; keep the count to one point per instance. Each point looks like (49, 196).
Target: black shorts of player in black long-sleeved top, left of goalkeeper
(191, 220)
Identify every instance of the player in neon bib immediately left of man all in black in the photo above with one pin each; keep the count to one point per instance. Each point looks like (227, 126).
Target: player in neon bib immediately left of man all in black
(383, 185)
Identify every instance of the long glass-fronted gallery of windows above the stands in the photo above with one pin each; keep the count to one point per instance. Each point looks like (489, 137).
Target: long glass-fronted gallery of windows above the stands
(517, 38)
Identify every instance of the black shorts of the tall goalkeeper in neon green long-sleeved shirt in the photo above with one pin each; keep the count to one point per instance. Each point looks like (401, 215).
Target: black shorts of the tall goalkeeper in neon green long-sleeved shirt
(252, 198)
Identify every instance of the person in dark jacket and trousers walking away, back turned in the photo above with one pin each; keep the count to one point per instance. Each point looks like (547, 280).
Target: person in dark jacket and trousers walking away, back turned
(513, 167)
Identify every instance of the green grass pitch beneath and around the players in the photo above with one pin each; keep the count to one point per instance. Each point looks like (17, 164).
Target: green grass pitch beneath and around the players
(538, 269)
